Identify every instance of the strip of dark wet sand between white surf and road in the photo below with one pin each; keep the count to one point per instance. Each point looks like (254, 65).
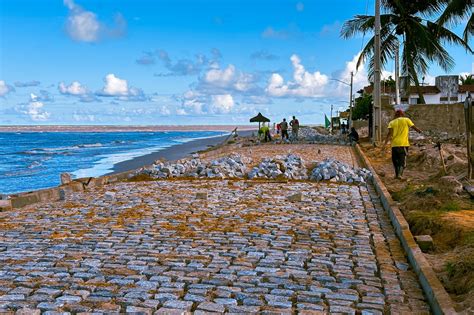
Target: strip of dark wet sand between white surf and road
(172, 153)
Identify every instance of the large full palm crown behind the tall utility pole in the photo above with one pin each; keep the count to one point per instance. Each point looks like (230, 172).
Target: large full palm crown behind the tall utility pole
(406, 22)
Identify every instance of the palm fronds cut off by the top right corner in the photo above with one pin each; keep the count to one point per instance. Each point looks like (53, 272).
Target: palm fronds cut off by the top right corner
(456, 11)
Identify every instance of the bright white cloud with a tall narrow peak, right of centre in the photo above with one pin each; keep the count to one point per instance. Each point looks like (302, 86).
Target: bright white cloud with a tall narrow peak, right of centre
(304, 84)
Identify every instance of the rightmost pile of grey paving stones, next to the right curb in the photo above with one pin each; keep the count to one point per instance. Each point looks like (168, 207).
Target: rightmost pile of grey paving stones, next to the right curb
(336, 171)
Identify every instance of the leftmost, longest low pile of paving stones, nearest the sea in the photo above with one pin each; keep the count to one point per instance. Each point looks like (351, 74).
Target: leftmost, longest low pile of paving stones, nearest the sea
(227, 167)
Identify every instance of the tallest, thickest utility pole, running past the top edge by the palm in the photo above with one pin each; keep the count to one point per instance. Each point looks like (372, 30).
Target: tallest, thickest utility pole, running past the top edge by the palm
(377, 131)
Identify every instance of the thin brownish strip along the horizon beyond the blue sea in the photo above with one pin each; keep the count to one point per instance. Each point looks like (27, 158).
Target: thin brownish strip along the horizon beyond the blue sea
(114, 128)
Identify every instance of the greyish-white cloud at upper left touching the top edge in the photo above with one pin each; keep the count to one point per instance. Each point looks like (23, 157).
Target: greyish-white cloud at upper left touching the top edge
(84, 26)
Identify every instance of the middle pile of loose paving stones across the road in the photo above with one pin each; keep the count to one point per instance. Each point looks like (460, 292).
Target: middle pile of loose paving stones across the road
(290, 166)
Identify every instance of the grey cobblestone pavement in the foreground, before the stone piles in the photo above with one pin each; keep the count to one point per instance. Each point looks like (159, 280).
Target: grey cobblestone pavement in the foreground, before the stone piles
(171, 247)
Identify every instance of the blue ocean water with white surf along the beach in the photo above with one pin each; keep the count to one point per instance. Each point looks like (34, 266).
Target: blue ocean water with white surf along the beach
(34, 160)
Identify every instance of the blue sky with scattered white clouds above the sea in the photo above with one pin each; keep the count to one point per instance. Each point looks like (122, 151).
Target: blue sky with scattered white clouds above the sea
(143, 62)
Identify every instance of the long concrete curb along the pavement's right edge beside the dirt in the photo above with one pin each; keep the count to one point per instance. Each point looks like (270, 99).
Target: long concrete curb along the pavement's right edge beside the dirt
(438, 299)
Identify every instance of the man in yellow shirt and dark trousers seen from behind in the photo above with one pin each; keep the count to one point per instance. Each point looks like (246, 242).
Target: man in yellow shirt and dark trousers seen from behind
(398, 131)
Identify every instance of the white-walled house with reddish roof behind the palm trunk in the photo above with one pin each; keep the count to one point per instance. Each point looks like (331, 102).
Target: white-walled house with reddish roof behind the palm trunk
(445, 91)
